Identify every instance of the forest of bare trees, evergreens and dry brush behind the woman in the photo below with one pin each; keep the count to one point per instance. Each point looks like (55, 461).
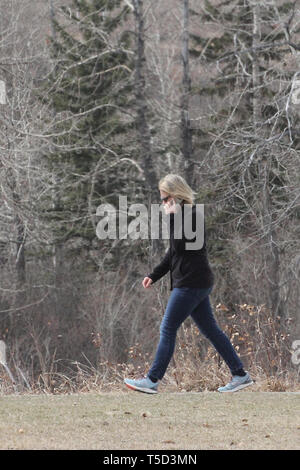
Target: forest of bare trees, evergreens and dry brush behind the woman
(102, 98)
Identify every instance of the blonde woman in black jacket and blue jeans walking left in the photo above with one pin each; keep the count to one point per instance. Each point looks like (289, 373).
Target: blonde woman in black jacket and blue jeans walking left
(191, 284)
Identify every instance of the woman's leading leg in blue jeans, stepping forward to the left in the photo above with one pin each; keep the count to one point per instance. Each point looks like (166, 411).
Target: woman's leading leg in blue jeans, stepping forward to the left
(182, 301)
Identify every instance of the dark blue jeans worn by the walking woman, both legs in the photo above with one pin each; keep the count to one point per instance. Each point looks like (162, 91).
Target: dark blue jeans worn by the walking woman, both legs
(194, 301)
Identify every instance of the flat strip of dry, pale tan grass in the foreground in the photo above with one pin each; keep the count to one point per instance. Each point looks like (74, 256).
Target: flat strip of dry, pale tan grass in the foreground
(132, 420)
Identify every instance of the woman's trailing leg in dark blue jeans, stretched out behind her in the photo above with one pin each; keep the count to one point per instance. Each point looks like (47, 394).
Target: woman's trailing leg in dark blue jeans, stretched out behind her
(205, 320)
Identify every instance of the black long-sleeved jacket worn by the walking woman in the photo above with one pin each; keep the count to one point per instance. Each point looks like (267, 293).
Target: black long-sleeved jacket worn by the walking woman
(188, 268)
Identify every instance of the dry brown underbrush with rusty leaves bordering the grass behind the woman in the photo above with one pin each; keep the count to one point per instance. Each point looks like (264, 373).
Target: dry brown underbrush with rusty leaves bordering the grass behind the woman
(262, 342)
